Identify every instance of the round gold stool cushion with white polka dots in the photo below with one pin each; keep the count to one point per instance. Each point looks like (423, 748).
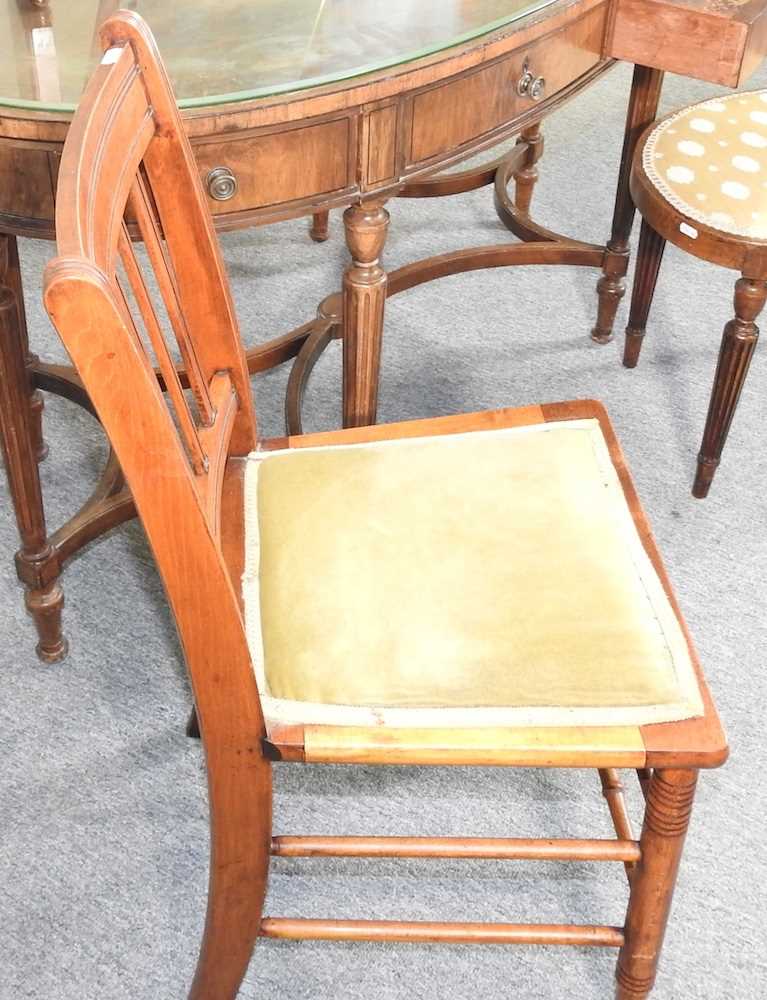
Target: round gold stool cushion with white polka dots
(710, 162)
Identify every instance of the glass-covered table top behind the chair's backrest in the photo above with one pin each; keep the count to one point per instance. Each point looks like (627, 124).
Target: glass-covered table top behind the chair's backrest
(230, 50)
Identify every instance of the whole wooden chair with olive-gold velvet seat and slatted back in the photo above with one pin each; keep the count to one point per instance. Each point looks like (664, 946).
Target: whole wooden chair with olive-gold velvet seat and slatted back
(479, 589)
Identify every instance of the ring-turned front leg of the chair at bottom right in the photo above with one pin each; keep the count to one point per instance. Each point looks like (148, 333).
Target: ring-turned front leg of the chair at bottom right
(669, 803)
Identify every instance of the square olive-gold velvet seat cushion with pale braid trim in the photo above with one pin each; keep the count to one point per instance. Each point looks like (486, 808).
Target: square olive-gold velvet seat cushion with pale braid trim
(492, 578)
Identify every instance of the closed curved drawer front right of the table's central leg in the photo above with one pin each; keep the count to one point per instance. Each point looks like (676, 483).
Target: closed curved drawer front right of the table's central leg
(454, 114)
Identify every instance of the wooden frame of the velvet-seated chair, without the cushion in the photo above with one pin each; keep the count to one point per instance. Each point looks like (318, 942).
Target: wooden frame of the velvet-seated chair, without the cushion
(127, 147)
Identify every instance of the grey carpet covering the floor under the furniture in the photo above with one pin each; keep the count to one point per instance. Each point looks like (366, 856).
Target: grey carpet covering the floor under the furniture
(102, 804)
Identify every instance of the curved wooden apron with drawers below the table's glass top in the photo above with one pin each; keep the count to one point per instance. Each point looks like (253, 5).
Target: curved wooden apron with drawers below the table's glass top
(304, 152)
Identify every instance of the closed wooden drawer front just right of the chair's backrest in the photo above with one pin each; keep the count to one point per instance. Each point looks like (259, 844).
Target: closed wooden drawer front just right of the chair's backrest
(260, 169)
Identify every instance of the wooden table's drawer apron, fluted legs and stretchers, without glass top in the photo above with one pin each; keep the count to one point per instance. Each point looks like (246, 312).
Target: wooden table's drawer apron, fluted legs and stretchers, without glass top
(354, 143)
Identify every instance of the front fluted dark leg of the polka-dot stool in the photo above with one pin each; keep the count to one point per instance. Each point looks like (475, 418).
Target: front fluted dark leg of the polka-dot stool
(738, 343)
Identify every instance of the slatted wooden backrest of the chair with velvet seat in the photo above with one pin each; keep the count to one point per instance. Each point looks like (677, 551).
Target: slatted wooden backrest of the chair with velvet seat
(127, 152)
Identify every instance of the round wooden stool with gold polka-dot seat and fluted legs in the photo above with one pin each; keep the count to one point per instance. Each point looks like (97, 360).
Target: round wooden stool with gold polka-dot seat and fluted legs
(699, 180)
